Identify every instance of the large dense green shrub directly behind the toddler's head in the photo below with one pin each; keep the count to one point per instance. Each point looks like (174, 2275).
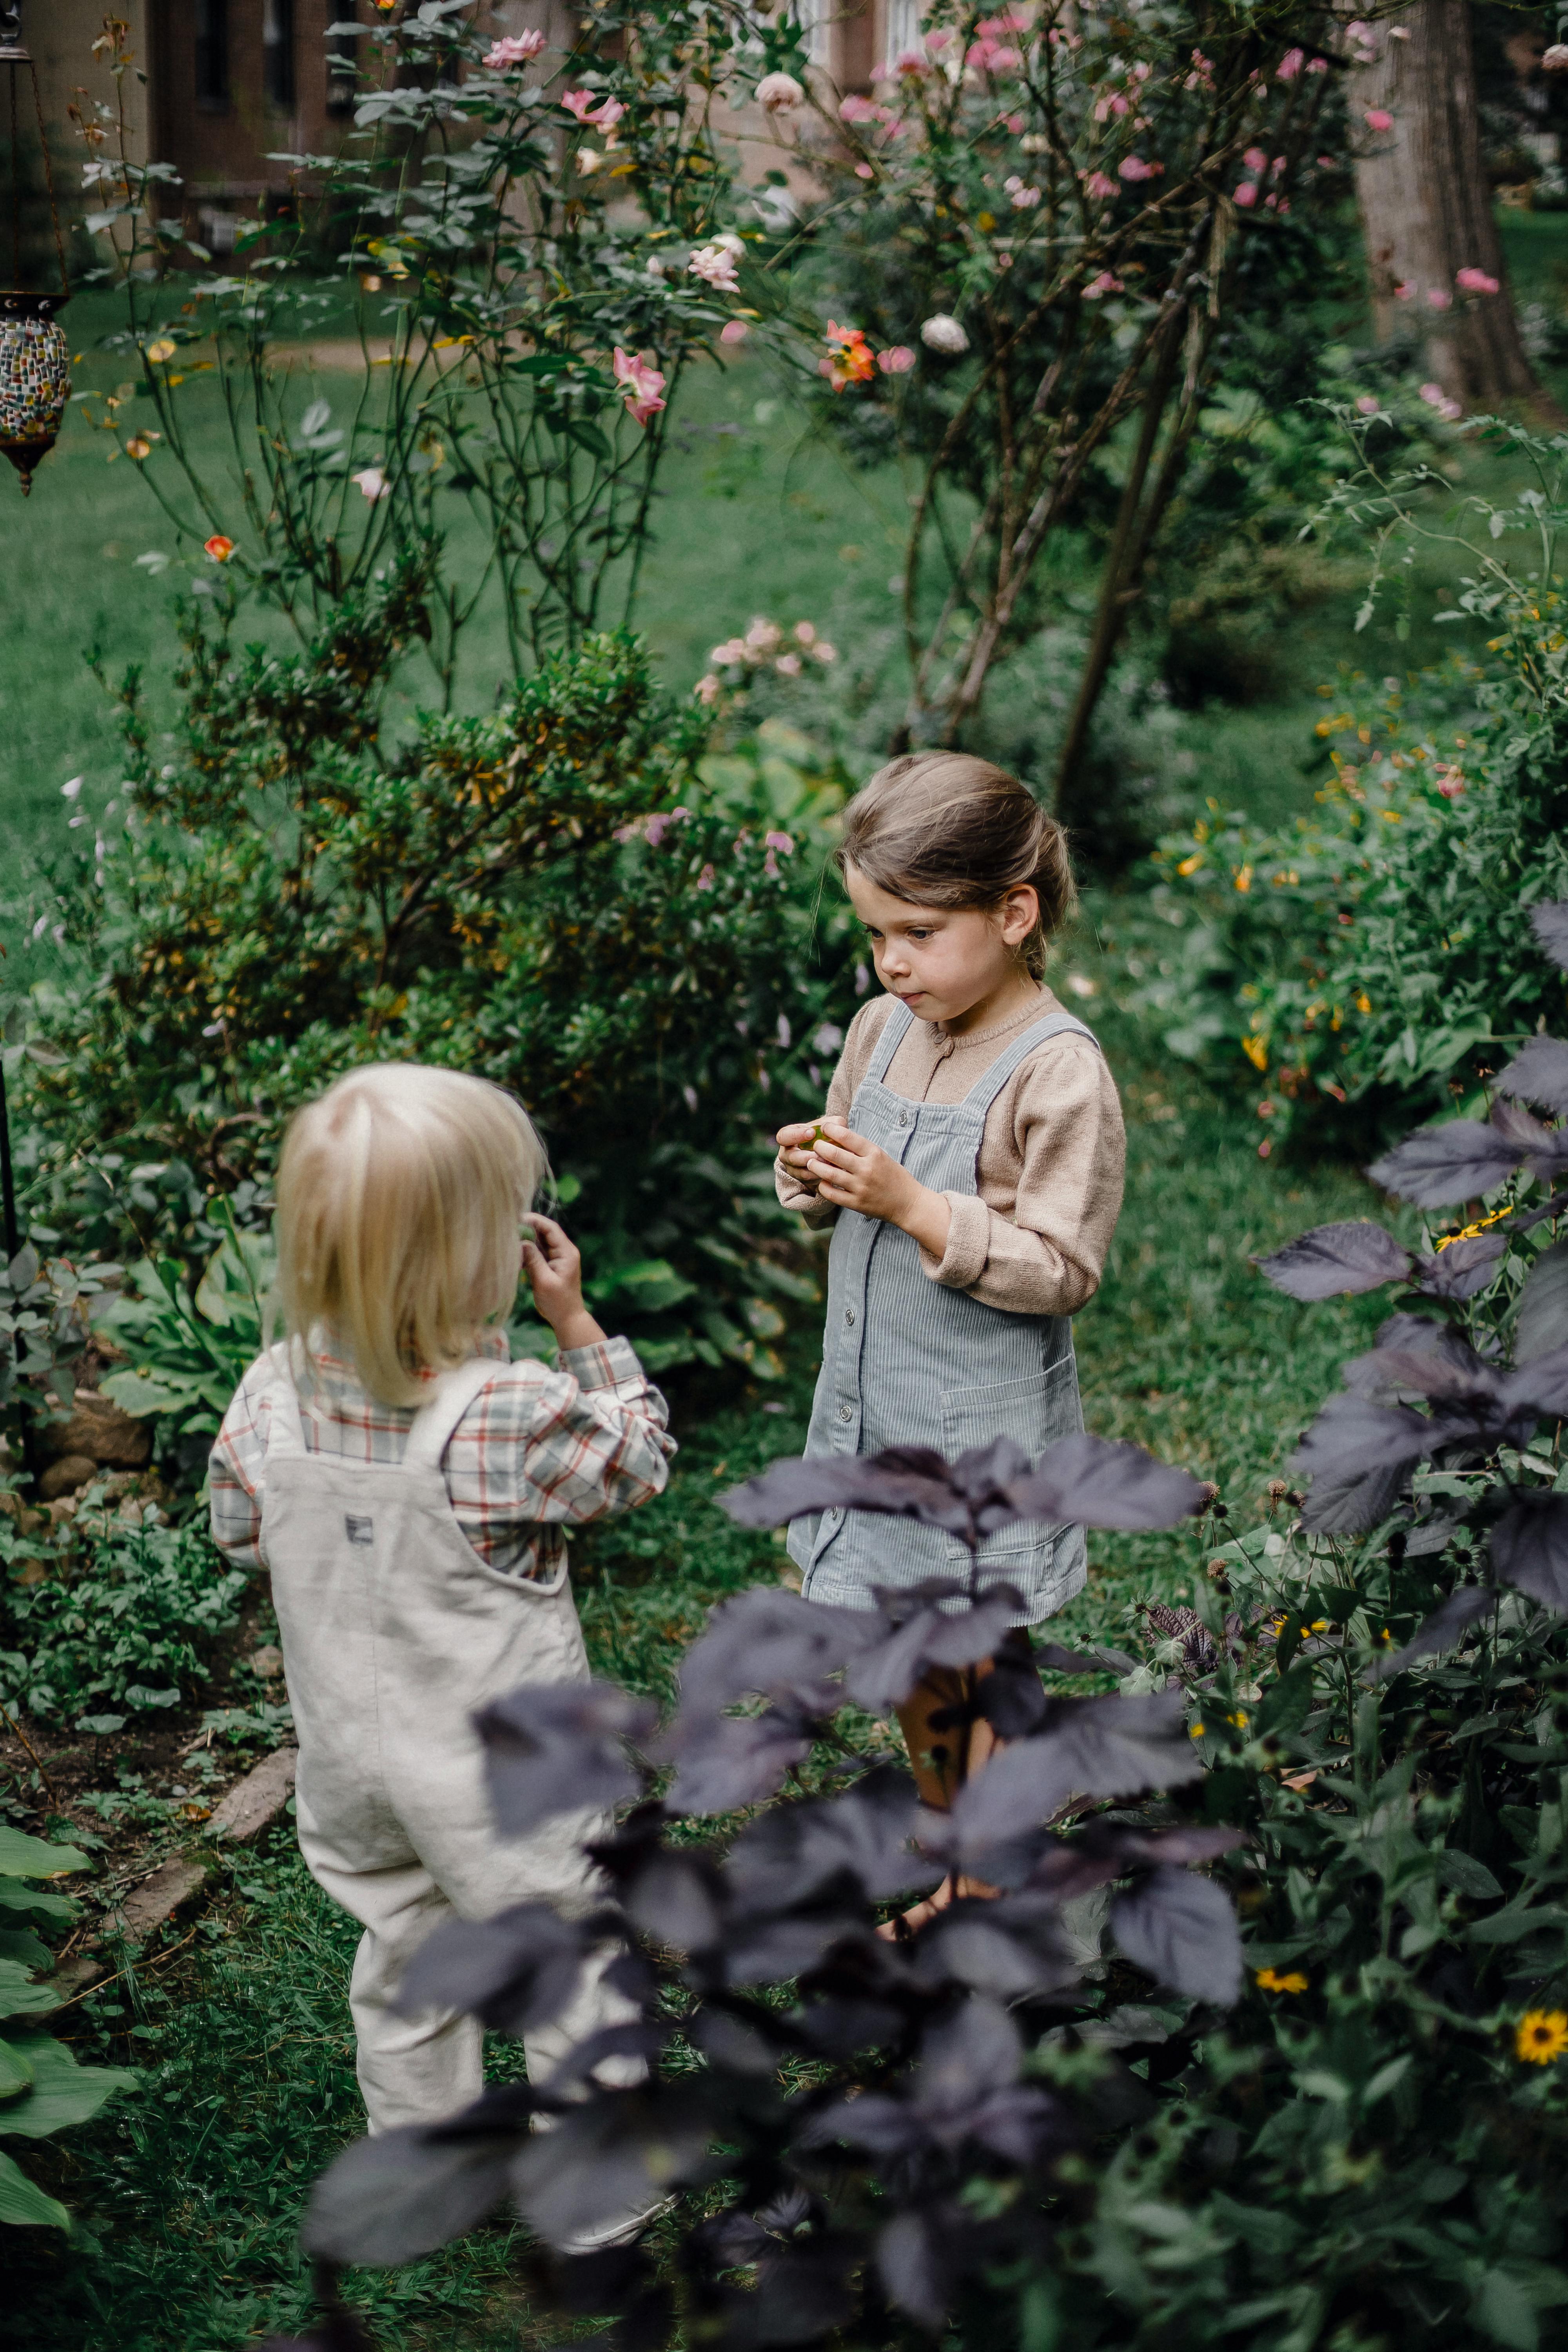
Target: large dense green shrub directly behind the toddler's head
(570, 897)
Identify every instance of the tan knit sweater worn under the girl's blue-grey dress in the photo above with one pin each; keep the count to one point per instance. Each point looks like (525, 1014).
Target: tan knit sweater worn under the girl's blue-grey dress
(1052, 1158)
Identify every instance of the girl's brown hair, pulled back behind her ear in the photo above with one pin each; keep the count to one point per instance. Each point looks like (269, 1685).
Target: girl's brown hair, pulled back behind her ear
(944, 829)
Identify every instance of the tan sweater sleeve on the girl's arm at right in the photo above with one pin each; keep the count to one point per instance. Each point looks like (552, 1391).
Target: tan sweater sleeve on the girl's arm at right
(1047, 1259)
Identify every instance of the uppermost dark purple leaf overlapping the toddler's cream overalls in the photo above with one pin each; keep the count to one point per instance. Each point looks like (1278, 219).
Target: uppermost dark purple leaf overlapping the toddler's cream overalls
(561, 1749)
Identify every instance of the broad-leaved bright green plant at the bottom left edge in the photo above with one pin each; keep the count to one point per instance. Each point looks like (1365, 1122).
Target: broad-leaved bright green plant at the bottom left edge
(43, 2090)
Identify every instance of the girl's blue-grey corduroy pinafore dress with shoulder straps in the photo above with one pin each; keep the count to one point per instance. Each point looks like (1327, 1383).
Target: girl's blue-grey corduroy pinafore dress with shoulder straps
(911, 1363)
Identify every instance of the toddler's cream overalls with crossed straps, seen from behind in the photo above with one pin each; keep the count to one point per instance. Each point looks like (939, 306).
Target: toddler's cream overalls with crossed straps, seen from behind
(394, 1633)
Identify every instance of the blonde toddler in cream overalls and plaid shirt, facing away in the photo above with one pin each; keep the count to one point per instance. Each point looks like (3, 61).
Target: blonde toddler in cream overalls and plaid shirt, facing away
(410, 1490)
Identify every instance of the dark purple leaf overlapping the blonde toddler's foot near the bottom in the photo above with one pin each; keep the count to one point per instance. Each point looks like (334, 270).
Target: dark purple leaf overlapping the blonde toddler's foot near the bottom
(610, 2160)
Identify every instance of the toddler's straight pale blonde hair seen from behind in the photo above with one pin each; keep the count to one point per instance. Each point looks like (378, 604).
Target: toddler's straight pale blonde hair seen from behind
(398, 1205)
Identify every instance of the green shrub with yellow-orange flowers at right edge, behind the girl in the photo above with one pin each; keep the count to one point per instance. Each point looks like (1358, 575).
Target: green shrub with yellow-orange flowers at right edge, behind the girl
(1376, 951)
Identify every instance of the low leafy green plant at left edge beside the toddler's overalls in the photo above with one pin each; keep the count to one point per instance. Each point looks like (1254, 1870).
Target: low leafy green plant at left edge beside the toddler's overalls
(123, 1615)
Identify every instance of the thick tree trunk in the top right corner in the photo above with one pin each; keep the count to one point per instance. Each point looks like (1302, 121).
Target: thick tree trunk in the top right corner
(1428, 211)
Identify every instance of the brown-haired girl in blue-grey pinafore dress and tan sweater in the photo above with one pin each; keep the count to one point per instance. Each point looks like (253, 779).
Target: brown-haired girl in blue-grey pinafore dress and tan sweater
(970, 1163)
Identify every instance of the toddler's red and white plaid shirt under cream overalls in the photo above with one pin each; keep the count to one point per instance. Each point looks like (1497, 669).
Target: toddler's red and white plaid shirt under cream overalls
(540, 1450)
